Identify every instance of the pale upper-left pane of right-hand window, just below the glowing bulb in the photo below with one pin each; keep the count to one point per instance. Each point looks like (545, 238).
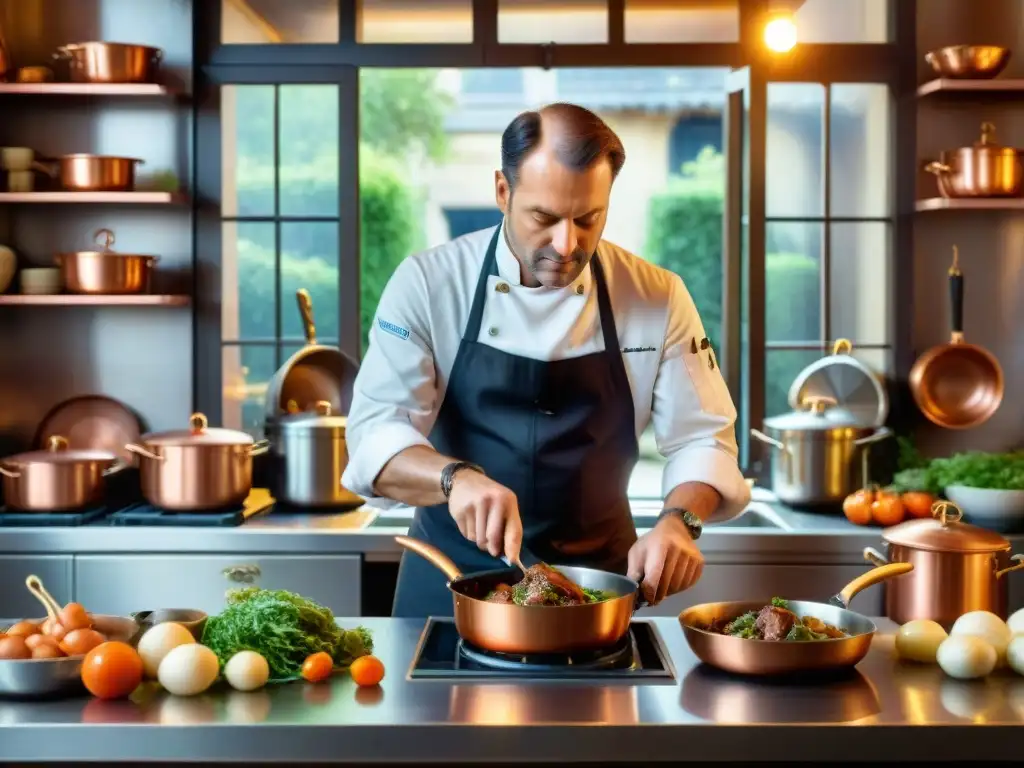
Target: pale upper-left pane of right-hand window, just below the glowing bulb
(795, 140)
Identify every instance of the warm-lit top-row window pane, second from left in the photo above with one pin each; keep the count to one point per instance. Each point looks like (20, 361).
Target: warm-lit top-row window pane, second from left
(415, 22)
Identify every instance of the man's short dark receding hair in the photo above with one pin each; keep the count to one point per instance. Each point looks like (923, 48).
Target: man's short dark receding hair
(584, 141)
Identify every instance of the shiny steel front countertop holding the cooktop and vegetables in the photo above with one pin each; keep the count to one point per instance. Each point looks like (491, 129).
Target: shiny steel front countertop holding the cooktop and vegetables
(432, 721)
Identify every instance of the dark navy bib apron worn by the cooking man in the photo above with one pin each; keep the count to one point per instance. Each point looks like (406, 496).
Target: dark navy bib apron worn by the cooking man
(561, 435)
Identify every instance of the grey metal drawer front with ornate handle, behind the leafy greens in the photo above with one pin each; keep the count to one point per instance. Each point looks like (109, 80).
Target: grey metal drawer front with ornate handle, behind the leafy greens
(122, 584)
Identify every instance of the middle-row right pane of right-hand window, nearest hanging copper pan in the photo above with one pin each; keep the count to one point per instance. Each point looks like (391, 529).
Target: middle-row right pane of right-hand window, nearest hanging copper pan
(862, 283)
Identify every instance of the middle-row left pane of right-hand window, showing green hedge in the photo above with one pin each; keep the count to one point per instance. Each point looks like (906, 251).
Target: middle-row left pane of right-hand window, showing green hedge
(793, 282)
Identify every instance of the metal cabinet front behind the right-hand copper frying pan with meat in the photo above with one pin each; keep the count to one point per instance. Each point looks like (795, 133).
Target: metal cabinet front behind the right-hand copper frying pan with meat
(722, 582)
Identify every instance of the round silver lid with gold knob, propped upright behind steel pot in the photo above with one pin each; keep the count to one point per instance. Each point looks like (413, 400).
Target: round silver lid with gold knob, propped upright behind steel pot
(857, 390)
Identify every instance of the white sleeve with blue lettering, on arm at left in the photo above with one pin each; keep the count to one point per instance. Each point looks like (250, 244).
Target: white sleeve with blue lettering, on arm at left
(395, 395)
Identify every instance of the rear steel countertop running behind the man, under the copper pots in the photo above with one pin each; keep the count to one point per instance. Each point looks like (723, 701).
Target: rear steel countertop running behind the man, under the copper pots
(806, 537)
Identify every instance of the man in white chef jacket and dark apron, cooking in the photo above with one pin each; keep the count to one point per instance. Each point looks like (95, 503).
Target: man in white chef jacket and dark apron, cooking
(511, 371)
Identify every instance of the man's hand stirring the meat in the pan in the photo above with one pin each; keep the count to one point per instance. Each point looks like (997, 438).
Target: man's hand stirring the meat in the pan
(487, 515)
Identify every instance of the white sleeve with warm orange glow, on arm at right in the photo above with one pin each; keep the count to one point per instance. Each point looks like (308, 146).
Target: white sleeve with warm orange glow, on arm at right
(694, 414)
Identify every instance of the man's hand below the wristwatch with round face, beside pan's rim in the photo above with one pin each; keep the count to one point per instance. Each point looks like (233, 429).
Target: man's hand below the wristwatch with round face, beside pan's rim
(665, 561)
